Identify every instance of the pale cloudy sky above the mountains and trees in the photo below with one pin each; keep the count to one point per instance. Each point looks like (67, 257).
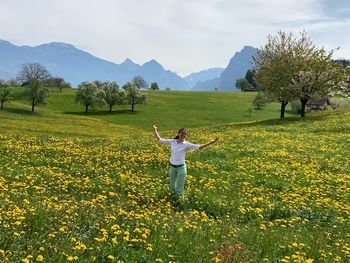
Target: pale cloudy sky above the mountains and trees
(185, 36)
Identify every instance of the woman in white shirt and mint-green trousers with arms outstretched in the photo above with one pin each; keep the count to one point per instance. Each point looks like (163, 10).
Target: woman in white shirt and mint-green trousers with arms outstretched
(178, 149)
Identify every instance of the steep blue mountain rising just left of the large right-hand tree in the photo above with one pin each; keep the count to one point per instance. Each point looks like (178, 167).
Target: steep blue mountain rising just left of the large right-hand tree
(237, 68)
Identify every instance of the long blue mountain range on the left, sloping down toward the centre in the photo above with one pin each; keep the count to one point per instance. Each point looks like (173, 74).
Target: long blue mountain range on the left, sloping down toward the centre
(75, 65)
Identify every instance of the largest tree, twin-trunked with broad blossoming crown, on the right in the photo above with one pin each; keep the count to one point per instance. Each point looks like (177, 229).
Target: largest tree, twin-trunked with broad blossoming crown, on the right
(289, 67)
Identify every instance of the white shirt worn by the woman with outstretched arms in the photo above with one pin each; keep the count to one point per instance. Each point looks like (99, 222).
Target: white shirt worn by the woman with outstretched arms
(178, 150)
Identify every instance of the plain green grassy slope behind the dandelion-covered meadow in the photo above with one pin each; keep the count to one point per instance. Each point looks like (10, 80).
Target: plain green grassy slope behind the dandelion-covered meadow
(170, 109)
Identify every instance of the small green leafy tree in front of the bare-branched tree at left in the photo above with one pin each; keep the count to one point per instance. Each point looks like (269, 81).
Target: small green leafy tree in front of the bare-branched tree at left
(36, 92)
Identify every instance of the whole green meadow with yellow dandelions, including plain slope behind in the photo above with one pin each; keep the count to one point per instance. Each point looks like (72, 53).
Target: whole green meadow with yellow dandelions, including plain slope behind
(94, 188)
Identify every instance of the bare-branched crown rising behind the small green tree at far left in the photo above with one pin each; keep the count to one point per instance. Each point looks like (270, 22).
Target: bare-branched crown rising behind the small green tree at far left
(33, 71)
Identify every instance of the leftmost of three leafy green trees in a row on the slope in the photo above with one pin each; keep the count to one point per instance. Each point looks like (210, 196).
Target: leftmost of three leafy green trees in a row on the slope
(89, 94)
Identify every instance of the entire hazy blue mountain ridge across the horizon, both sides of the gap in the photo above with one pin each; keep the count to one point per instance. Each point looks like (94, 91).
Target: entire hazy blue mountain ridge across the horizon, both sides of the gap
(75, 66)
